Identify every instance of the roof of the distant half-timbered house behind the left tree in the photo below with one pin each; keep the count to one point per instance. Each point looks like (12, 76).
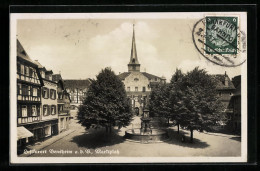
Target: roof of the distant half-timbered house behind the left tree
(80, 84)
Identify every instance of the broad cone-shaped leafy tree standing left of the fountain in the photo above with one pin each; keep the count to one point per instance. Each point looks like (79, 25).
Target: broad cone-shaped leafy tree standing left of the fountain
(106, 103)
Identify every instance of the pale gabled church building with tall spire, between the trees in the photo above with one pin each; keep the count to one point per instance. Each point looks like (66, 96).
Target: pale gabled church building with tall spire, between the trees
(138, 84)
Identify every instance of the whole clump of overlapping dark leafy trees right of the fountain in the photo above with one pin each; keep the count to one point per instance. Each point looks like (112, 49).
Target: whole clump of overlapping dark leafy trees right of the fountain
(190, 100)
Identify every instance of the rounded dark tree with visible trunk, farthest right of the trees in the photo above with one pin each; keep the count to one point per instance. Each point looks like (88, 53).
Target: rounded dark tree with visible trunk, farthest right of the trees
(200, 104)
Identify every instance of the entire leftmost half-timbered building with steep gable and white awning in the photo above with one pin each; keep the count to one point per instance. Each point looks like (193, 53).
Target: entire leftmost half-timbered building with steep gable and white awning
(29, 84)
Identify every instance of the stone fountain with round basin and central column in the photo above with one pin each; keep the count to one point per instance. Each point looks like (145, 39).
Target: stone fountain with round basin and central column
(146, 134)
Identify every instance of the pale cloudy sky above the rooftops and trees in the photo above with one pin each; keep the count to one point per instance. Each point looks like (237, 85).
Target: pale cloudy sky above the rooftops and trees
(80, 48)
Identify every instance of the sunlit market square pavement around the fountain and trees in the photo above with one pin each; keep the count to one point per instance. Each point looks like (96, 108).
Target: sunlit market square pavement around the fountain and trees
(98, 143)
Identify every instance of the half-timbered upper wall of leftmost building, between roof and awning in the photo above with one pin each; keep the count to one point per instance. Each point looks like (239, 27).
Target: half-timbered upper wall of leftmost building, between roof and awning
(28, 94)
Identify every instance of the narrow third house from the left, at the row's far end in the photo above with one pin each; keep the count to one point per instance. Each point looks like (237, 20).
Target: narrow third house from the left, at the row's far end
(63, 101)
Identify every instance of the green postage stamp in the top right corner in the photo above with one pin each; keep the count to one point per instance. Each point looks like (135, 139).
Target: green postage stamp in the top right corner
(221, 35)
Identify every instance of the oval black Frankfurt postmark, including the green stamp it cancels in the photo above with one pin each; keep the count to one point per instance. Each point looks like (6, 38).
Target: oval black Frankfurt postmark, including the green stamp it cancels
(219, 40)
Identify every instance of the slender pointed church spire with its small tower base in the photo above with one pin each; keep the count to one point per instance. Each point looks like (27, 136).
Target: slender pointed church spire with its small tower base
(133, 64)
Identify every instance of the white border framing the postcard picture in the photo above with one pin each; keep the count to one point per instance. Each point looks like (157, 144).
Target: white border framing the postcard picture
(181, 15)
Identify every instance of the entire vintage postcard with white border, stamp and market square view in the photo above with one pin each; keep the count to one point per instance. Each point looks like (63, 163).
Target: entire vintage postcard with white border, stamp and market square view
(128, 87)
